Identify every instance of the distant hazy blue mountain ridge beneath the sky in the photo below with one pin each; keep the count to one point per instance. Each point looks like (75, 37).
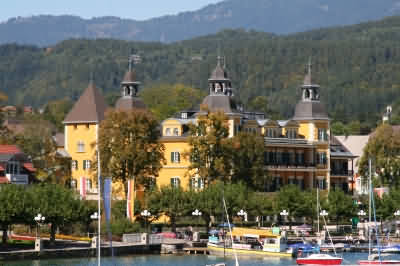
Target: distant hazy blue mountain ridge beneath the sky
(275, 16)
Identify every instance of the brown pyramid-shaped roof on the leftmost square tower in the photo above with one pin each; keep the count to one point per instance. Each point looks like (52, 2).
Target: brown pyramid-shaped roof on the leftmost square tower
(89, 108)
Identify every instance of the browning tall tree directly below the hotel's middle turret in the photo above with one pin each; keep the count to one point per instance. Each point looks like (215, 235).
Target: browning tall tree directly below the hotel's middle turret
(210, 147)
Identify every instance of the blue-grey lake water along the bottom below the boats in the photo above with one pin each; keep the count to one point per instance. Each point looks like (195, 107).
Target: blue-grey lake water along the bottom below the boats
(175, 260)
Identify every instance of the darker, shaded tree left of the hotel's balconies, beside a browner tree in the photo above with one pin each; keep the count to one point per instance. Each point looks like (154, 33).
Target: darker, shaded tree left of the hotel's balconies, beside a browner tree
(248, 160)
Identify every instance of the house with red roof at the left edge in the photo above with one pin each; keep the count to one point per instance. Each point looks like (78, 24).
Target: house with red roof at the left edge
(15, 166)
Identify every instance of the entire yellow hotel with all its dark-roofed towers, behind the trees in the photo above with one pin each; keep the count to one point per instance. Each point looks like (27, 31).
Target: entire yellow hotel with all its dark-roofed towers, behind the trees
(299, 151)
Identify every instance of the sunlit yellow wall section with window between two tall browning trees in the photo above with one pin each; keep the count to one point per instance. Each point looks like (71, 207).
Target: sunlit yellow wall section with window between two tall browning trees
(170, 169)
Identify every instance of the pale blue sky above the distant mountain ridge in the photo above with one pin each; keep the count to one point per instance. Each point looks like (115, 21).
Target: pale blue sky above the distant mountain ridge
(133, 9)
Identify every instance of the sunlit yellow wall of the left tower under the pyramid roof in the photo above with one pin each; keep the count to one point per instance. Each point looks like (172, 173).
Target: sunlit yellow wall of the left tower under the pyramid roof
(88, 134)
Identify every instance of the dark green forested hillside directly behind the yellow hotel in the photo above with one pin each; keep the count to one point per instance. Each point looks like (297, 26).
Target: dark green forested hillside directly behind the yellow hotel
(359, 73)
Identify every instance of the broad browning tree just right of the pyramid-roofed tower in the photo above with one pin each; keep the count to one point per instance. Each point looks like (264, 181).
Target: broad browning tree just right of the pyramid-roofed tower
(129, 146)
